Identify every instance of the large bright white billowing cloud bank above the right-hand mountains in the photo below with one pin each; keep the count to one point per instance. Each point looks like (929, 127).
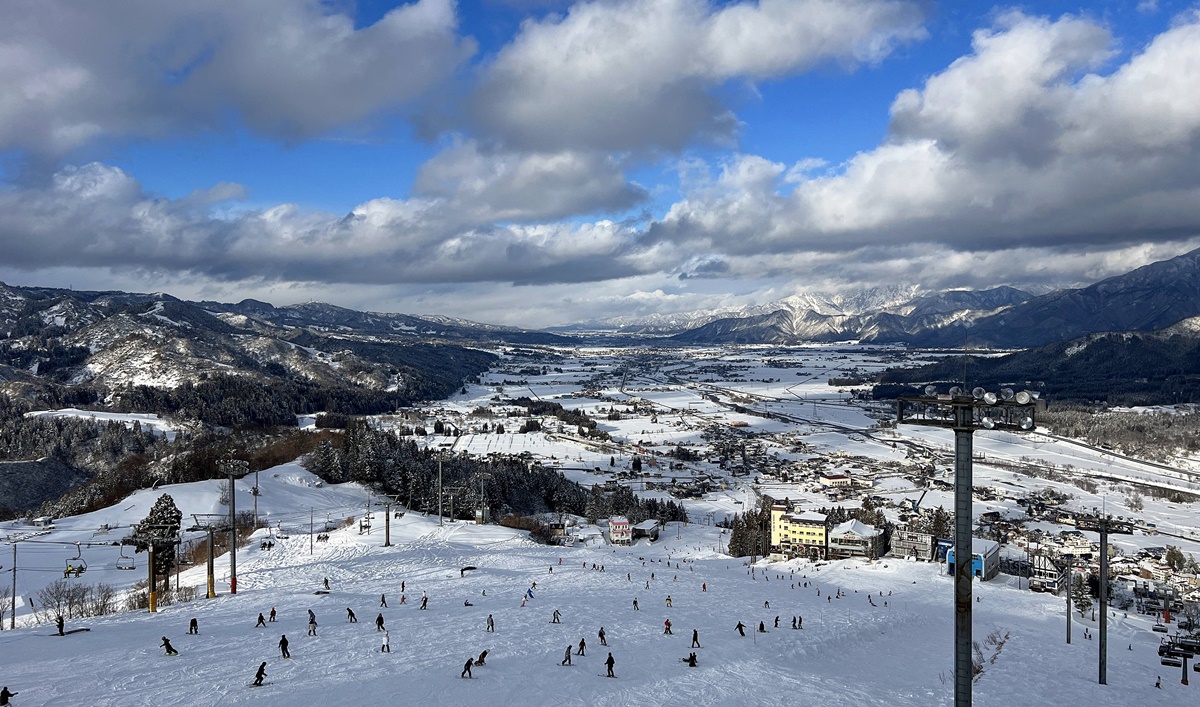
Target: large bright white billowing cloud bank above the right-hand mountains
(1019, 145)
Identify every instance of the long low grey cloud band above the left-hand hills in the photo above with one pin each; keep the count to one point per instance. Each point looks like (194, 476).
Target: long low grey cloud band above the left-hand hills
(100, 217)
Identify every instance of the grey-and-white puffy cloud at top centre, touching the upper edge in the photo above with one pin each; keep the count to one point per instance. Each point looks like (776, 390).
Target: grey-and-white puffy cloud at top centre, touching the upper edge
(640, 74)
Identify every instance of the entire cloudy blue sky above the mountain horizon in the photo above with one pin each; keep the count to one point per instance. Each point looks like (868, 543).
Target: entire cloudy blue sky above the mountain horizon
(541, 163)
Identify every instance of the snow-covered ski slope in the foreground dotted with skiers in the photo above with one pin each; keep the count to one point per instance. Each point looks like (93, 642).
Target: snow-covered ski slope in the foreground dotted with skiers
(848, 654)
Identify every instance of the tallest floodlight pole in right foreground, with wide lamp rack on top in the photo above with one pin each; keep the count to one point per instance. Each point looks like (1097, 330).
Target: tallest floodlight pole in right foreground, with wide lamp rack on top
(965, 414)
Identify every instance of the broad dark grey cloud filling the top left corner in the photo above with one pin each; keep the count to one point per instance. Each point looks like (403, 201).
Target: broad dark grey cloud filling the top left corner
(75, 73)
